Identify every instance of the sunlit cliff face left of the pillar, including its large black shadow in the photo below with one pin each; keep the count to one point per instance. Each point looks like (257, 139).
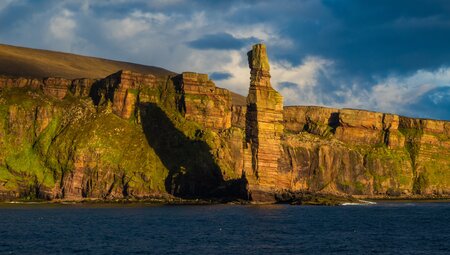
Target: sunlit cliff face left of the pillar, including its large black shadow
(127, 135)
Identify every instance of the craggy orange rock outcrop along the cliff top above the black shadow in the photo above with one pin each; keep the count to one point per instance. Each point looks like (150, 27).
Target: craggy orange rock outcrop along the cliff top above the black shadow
(194, 95)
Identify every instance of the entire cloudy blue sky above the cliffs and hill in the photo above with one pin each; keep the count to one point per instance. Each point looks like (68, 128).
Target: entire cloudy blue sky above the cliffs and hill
(380, 55)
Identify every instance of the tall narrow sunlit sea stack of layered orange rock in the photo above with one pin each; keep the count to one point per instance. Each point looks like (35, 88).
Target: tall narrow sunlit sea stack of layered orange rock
(264, 127)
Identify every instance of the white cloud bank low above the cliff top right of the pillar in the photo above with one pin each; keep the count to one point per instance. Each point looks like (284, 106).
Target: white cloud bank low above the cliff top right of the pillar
(394, 94)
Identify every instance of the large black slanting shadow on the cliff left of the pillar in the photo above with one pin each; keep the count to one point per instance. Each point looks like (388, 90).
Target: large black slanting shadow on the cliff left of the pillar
(193, 172)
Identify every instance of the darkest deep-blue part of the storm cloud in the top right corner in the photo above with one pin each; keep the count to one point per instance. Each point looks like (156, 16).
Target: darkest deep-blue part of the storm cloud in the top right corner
(375, 37)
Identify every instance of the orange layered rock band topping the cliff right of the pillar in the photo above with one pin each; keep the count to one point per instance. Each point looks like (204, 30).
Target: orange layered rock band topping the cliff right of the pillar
(355, 127)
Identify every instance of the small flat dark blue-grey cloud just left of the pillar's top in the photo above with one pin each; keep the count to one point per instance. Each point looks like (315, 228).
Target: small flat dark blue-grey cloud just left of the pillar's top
(221, 41)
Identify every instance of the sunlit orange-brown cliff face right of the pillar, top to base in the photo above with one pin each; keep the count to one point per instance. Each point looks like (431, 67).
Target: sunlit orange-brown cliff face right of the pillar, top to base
(367, 153)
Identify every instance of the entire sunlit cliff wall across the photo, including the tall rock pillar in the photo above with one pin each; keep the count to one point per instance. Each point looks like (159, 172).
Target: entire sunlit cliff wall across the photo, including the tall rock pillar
(140, 135)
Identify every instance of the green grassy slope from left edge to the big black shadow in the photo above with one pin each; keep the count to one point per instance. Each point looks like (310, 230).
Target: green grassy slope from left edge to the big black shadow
(76, 132)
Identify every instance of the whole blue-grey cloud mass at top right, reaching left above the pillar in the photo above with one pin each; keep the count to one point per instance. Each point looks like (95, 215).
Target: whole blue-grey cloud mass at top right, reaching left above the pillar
(365, 37)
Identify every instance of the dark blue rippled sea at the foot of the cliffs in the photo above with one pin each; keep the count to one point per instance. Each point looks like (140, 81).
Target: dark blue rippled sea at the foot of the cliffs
(384, 228)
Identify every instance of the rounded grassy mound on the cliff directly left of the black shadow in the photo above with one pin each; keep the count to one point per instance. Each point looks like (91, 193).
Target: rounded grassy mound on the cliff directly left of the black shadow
(112, 143)
